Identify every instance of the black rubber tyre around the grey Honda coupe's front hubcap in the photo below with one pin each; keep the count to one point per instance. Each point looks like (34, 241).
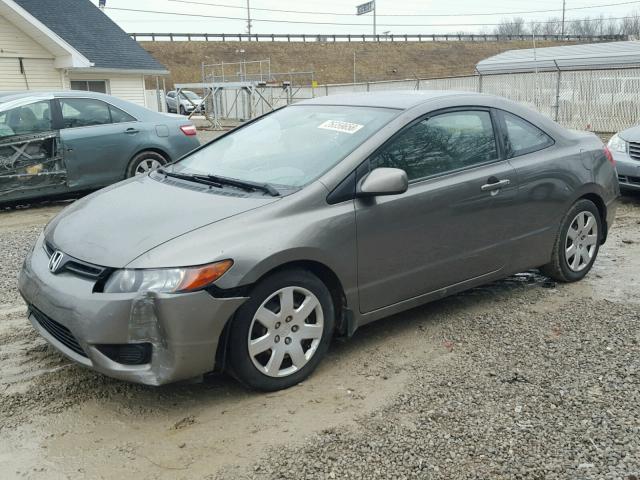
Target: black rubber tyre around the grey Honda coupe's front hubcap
(240, 362)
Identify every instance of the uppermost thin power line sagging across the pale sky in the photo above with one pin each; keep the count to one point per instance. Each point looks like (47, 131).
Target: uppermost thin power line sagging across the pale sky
(477, 14)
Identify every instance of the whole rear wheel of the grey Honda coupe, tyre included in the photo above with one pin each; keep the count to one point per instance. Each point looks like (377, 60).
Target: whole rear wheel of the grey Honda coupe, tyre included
(577, 243)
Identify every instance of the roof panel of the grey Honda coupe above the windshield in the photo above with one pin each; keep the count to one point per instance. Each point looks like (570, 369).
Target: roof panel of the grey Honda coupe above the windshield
(398, 99)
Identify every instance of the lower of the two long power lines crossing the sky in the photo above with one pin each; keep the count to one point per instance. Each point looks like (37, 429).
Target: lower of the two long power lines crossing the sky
(220, 17)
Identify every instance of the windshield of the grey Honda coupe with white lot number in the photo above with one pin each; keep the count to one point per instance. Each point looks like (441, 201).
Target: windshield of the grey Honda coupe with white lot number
(290, 147)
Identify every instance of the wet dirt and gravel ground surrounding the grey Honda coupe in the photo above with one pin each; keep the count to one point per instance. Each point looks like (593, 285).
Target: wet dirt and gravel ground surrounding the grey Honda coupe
(519, 379)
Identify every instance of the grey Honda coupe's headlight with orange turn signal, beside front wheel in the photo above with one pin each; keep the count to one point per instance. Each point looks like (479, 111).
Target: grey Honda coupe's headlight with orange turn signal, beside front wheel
(166, 280)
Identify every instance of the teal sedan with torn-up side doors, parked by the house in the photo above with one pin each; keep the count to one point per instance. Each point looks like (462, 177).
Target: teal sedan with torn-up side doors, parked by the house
(72, 141)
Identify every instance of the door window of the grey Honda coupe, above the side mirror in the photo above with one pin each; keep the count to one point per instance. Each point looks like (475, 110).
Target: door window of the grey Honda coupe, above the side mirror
(440, 144)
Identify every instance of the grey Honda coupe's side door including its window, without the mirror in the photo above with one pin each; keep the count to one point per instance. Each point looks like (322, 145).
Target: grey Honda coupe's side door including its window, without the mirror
(451, 225)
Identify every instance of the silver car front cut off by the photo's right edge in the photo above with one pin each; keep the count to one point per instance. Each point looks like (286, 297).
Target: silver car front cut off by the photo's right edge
(625, 147)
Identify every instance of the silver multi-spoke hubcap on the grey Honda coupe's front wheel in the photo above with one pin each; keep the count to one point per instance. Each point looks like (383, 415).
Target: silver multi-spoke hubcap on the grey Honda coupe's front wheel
(285, 331)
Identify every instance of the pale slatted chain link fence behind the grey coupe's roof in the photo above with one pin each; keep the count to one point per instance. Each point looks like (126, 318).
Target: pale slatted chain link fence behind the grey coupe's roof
(603, 101)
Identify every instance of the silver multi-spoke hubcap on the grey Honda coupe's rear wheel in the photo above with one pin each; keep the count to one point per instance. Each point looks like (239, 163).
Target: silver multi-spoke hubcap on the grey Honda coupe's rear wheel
(581, 241)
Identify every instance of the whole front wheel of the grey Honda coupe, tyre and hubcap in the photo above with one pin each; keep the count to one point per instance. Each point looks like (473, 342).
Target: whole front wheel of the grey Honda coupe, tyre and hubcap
(279, 336)
